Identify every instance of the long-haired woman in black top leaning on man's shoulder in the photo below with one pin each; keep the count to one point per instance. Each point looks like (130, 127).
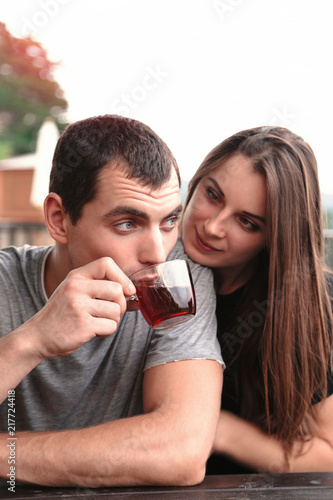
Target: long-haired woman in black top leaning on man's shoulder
(253, 214)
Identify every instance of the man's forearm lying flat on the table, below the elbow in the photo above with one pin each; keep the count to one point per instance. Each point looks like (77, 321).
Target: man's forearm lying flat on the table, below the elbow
(134, 451)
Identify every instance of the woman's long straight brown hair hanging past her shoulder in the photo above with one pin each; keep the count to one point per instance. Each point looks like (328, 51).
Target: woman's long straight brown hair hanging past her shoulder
(282, 367)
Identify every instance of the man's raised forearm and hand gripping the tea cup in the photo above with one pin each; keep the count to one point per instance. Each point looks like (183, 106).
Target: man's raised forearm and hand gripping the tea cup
(88, 303)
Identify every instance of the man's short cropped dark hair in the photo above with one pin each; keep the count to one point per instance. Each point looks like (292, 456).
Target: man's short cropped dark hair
(87, 146)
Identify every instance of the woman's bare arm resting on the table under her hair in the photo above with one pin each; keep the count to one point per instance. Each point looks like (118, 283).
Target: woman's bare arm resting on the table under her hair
(246, 443)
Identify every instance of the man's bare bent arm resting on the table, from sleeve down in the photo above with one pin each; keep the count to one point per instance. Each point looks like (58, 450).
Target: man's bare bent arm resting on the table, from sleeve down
(167, 445)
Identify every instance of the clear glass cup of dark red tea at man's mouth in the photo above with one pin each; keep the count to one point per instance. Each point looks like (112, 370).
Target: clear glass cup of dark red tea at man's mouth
(165, 293)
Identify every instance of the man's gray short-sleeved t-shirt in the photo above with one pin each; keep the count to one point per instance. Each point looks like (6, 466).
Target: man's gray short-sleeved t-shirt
(102, 380)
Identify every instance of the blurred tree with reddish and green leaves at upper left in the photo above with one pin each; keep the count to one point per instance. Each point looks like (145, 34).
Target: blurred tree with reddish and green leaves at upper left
(28, 93)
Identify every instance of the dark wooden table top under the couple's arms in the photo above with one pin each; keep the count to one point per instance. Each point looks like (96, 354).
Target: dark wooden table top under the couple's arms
(307, 486)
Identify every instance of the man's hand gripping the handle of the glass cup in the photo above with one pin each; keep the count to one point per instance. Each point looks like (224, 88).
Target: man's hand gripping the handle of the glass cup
(88, 303)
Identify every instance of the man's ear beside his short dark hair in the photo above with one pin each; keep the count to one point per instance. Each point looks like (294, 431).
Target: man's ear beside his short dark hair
(56, 218)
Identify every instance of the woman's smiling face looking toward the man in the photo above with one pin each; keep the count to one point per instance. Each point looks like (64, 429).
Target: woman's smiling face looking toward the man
(224, 224)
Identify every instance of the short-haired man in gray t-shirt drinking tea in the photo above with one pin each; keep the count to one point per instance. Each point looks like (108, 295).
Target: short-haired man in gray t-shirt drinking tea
(111, 401)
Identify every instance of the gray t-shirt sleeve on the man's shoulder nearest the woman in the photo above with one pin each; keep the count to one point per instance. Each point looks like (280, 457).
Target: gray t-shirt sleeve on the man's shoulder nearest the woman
(193, 339)
